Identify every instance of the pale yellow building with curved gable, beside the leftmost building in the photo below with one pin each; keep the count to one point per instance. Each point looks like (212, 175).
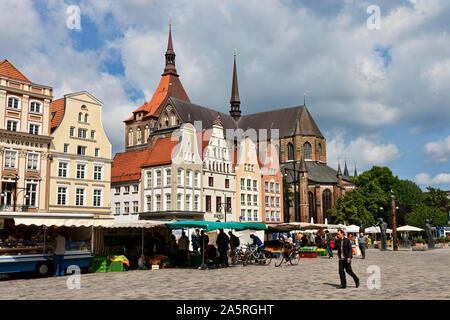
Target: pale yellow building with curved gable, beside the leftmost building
(80, 169)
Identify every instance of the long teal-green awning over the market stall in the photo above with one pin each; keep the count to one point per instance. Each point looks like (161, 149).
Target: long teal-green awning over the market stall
(212, 225)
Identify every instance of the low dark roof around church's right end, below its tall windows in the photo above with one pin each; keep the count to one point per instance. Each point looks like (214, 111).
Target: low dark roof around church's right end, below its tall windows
(318, 172)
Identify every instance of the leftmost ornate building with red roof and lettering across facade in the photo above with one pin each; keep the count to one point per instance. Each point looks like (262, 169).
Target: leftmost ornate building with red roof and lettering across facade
(24, 141)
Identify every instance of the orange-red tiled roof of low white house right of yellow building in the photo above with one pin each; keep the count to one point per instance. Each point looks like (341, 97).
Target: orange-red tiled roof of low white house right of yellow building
(127, 165)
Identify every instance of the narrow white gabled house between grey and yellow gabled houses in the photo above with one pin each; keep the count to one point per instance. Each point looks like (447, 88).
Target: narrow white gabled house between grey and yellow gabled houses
(219, 180)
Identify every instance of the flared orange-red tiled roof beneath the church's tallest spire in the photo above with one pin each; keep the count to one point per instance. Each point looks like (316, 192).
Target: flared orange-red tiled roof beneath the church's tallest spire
(169, 86)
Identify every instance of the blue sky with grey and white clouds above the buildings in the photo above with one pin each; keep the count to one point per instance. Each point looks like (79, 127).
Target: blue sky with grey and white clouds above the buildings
(377, 85)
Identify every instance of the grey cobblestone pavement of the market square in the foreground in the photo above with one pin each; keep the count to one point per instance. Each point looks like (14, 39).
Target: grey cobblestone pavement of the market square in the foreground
(404, 275)
